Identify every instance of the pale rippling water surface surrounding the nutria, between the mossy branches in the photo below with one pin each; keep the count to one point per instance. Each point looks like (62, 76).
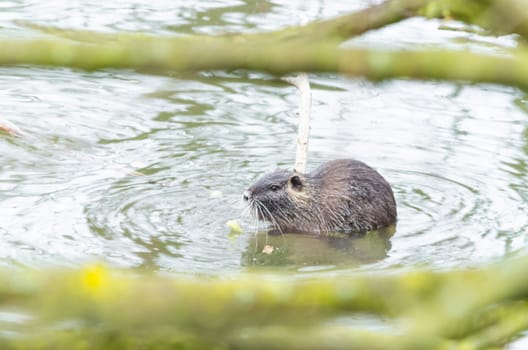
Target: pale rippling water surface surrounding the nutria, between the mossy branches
(69, 192)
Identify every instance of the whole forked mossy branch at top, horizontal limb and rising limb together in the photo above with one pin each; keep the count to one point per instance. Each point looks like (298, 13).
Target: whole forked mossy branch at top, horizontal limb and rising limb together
(314, 47)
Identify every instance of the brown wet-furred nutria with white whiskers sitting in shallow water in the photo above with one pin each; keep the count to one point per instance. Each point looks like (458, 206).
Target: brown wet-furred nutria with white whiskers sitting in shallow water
(340, 196)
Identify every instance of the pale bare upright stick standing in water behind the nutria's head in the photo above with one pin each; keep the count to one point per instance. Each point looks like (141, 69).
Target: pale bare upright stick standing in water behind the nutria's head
(303, 85)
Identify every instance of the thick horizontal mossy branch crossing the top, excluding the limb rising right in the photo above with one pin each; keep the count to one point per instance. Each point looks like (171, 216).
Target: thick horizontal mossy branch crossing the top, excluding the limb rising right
(187, 54)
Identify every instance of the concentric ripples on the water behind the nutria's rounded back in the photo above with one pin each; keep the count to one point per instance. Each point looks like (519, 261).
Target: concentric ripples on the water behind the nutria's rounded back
(438, 218)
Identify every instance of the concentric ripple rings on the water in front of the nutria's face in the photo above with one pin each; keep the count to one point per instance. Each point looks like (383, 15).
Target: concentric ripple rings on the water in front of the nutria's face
(162, 223)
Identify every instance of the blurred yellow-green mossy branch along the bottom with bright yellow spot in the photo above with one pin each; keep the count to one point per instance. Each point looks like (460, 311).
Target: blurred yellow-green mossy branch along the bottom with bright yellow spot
(466, 309)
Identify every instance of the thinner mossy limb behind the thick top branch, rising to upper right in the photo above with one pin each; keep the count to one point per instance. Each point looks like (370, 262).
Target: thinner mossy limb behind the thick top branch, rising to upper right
(501, 16)
